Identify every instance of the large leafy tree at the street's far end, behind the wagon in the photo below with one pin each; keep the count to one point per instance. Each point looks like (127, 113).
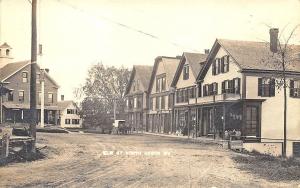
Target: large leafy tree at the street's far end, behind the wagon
(103, 86)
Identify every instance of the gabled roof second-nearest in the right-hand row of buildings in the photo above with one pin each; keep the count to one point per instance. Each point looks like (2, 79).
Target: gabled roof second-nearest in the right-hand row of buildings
(196, 62)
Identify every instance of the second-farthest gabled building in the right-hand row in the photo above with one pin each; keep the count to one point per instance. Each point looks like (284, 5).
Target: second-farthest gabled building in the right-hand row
(161, 94)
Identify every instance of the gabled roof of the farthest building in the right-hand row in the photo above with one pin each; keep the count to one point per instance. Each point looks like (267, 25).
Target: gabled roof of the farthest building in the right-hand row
(144, 73)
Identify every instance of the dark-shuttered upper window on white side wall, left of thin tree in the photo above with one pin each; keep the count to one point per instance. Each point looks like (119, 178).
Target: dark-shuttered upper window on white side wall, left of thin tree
(266, 87)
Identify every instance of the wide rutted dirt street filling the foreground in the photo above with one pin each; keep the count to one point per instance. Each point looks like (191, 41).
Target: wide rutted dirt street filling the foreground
(95, 160)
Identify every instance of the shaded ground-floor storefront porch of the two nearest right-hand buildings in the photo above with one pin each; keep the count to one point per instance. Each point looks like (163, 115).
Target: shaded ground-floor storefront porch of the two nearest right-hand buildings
(220, 120)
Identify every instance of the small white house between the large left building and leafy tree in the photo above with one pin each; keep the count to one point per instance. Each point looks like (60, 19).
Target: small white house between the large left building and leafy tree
(69, 115)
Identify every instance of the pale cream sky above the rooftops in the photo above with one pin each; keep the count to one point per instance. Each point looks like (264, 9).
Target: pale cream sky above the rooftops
(79, 33)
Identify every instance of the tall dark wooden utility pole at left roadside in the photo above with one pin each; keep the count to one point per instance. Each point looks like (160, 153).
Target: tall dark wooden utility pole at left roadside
(33, 73)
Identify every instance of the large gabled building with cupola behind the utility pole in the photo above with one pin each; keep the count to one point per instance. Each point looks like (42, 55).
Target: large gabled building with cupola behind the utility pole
(15, 105)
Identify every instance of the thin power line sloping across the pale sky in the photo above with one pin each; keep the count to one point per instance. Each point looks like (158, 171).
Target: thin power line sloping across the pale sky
(129, 27)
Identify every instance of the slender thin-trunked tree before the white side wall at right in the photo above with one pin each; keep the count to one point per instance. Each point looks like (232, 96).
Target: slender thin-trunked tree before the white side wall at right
(283, 59)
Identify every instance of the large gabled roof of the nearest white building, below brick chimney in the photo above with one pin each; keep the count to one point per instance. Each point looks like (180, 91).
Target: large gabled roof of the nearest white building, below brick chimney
(251, 55)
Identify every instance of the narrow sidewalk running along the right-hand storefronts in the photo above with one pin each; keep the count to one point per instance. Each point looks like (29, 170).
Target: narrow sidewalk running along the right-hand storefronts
(190, 139)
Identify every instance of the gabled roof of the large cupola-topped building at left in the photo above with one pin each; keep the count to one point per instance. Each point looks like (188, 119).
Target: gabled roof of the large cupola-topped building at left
(12, 68)
